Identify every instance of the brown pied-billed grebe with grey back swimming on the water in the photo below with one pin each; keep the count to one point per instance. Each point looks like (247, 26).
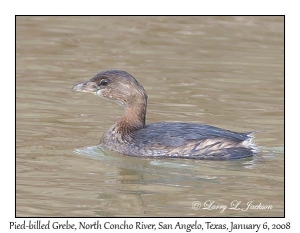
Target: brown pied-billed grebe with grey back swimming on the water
(130, 135)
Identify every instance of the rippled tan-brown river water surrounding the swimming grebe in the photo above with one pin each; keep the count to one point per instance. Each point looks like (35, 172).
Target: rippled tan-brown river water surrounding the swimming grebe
(223, 71)
